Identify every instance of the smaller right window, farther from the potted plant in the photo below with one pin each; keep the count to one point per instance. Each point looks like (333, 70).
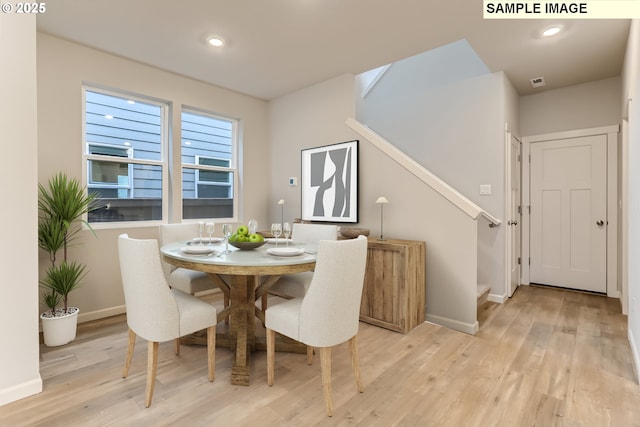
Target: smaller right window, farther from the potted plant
(209, 171)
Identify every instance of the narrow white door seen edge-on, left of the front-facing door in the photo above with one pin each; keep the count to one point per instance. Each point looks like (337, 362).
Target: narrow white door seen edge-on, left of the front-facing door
(515, 218)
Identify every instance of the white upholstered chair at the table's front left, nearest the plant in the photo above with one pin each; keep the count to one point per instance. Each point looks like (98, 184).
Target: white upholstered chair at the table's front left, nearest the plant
(157, 313)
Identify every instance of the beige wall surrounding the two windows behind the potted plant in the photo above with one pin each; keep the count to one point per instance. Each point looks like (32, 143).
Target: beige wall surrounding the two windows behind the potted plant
(62, 68)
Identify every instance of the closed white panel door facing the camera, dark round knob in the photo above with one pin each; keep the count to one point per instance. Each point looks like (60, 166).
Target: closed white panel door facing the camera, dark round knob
(568, 213)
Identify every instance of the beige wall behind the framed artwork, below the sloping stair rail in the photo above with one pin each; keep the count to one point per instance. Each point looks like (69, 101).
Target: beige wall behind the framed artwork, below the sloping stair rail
(316, 116)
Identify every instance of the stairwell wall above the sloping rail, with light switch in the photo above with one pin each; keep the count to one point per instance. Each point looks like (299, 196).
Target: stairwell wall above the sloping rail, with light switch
(447, 112)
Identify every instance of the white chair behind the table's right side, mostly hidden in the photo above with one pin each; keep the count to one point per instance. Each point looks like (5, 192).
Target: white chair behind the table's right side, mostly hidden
(295, 285)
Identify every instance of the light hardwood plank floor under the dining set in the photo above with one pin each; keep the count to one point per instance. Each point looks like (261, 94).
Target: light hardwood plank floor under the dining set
(546, 357)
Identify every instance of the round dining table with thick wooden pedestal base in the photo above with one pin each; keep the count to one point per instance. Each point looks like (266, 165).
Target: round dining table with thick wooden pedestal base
(244, 276)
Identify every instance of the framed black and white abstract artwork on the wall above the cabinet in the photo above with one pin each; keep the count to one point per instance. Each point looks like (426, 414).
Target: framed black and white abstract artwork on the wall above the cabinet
(330, 183)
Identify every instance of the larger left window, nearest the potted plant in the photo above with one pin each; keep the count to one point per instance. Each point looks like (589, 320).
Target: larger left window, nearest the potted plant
(125, 138)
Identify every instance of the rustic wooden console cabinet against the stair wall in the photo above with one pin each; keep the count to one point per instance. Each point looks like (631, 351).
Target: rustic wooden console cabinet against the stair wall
(393, 296)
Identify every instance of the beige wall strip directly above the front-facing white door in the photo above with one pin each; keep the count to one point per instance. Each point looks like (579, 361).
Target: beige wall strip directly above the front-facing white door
(582, 106)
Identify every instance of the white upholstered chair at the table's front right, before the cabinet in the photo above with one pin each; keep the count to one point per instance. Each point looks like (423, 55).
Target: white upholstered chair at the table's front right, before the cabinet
(328, 314)
